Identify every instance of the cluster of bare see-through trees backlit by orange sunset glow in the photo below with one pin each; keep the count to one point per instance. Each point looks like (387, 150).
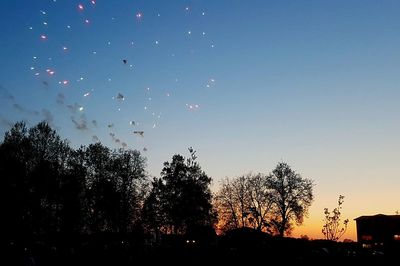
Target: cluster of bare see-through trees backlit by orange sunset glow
(272, 203)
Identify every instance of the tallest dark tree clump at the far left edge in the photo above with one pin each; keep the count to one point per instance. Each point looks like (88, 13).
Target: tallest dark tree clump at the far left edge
(34, 167)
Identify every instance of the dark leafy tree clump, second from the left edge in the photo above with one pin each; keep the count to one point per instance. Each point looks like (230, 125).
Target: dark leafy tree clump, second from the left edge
(116, 187)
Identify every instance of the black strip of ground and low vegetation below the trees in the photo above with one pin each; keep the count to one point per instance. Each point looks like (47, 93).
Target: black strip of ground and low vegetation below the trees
(237, 247)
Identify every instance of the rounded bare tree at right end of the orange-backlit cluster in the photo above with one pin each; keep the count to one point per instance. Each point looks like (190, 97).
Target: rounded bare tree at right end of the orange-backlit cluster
(291, 196)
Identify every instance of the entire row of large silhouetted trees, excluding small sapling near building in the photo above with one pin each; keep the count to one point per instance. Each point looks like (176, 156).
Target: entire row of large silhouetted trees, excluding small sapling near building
(50, 188)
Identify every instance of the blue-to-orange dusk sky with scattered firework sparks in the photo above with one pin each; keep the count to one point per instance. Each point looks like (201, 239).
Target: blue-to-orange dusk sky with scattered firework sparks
(247, 84)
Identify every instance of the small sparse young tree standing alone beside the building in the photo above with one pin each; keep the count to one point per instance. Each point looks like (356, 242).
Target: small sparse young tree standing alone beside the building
(332, 229)
